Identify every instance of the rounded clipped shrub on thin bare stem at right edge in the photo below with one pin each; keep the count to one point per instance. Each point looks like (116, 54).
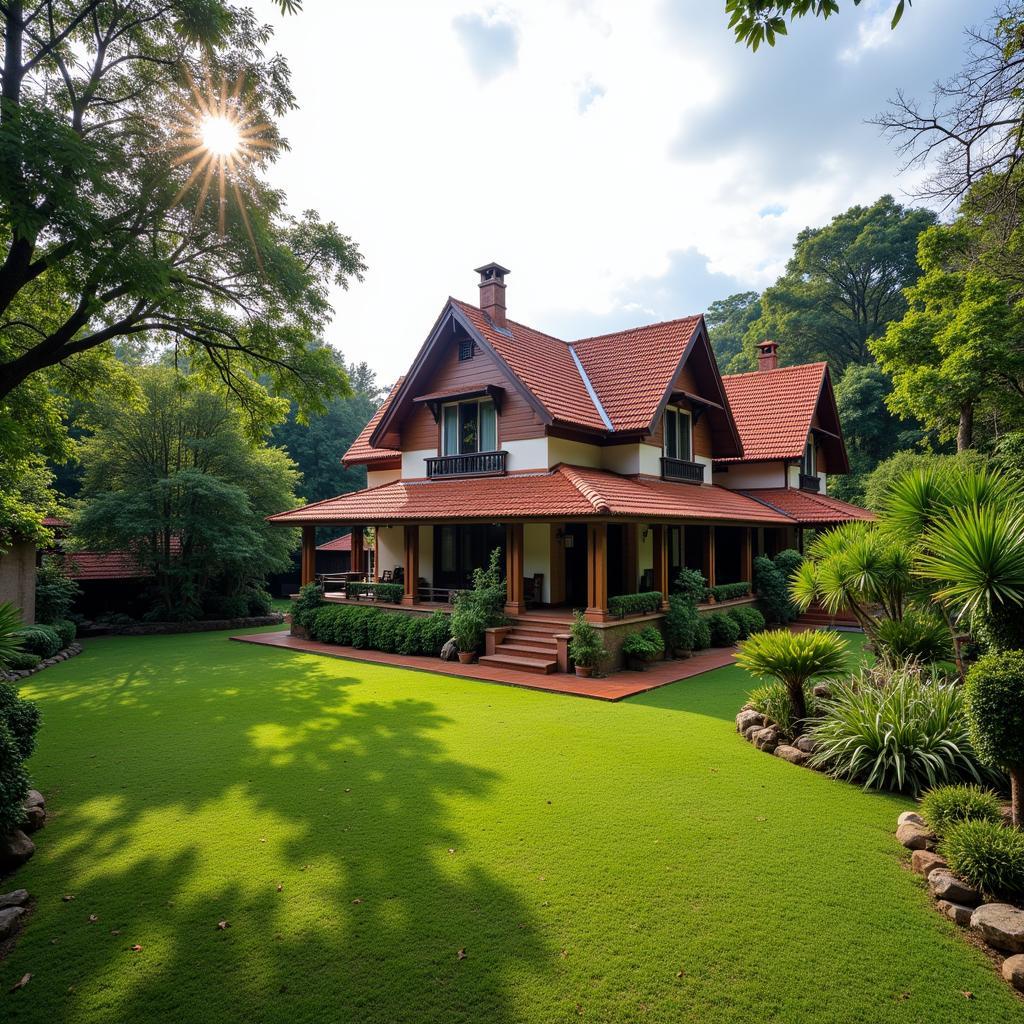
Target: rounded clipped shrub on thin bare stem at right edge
(995, 694)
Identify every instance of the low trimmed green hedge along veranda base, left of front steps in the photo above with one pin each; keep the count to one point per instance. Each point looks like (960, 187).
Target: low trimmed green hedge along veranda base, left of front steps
(377, 629)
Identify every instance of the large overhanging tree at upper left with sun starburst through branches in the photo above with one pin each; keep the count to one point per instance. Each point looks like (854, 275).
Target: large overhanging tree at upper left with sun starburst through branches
(116, 196)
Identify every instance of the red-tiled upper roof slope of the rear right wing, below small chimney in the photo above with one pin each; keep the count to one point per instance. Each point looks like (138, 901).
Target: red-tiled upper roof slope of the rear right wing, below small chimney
(774, 410)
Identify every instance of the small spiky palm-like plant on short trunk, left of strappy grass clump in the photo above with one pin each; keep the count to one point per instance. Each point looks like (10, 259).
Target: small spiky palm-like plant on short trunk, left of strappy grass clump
(794, 659)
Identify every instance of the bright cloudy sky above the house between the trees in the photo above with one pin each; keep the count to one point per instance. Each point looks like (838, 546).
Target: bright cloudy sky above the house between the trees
(626, 159)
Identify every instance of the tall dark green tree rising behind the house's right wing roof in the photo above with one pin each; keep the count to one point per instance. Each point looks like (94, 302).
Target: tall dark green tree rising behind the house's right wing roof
(842, 286)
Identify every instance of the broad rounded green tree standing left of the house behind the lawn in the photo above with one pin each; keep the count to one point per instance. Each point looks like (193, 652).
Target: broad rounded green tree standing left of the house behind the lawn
(179, 482)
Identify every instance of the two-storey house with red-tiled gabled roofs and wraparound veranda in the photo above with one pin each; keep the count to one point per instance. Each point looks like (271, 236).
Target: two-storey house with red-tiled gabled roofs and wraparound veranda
(600, 466)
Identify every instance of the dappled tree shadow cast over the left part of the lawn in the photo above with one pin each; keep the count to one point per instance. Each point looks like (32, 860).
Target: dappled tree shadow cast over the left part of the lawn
(330, 835)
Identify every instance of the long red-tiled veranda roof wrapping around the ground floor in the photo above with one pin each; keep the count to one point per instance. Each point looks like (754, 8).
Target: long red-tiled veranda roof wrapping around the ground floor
(566, 492)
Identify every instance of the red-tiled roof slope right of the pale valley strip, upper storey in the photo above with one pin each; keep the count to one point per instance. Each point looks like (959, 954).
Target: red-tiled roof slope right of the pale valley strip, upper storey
(632, 370)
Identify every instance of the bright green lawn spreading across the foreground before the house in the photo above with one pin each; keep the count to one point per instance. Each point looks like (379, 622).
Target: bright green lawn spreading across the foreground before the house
(611, 863)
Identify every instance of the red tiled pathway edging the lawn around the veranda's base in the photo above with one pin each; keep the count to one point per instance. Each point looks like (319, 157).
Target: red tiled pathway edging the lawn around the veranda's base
(613, 688)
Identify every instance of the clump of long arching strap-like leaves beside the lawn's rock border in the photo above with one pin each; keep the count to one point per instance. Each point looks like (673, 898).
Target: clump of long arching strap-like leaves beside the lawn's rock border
(903, 731)
